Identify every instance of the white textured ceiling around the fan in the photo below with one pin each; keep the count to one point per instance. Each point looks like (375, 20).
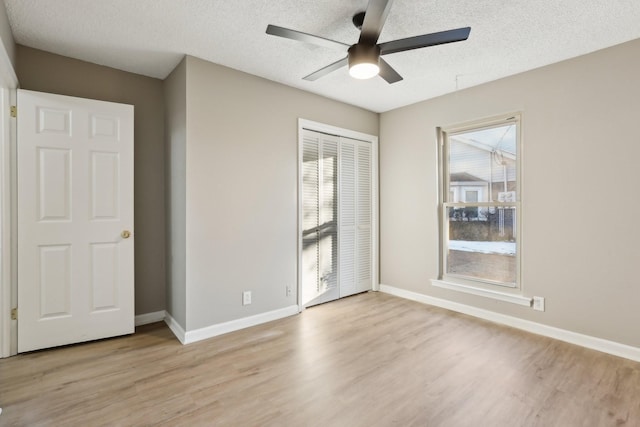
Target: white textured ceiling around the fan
(150, 37)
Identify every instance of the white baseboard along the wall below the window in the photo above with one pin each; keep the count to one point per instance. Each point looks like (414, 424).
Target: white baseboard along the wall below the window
(587, 341)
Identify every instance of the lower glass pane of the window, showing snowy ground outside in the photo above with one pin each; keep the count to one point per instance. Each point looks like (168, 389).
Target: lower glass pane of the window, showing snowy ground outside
(482, 243)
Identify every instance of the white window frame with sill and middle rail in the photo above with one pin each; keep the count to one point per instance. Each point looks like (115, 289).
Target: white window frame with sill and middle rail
(484, 287)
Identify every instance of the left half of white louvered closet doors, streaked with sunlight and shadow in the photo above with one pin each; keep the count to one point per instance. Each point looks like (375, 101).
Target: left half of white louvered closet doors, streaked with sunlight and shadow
(319, 218)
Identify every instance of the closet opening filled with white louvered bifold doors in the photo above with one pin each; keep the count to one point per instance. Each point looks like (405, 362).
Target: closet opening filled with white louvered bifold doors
(337, 206)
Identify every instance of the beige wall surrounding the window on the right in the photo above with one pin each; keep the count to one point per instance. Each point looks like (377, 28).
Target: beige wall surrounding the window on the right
(580, 239)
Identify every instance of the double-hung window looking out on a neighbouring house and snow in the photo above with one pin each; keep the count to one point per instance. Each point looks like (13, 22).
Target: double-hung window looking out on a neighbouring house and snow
(480, 204)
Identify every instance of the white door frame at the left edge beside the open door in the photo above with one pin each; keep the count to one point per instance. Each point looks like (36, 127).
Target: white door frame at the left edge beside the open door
(8, 205)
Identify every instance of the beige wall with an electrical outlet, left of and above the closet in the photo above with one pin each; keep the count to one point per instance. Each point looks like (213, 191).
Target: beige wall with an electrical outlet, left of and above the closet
(241, 188)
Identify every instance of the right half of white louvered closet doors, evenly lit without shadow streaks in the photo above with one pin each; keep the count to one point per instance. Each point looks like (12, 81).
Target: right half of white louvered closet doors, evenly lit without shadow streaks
(355, 217)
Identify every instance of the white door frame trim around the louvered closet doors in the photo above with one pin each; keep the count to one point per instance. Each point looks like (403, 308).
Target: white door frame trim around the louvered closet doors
(346, 133)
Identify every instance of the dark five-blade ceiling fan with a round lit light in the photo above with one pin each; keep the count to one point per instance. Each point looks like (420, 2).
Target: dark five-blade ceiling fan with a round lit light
(363, 58)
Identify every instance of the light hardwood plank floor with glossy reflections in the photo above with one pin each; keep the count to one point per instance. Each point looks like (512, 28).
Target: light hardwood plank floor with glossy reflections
(367, 360)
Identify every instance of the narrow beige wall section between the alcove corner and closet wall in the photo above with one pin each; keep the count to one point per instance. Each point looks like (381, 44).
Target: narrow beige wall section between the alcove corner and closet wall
(175, 96)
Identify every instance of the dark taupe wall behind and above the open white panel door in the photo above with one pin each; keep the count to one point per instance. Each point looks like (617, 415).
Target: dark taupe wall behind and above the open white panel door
(41, 71)
